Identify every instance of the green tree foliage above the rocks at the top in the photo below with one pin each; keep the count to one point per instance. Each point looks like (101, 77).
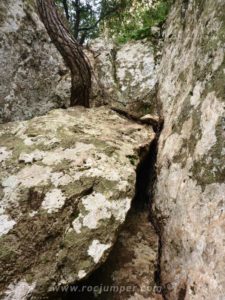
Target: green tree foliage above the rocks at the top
(123, 20)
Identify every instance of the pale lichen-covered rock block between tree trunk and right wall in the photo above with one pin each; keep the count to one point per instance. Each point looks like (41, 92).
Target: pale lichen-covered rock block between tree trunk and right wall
(125, 76)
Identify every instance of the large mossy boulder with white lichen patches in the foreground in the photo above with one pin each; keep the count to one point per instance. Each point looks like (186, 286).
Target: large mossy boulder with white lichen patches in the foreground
(67, 181)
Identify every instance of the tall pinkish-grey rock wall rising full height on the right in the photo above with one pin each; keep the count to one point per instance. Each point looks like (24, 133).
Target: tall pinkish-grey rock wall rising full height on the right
(190, 195)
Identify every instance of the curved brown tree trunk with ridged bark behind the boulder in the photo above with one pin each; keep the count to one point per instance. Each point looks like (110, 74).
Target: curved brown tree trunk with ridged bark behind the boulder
(70, 50)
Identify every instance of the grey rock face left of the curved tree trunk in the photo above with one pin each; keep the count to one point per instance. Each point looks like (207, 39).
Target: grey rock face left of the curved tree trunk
(33, 78)
